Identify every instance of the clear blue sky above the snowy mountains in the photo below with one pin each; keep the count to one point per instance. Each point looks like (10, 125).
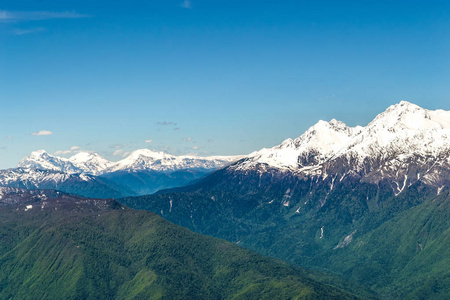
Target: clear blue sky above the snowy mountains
(220, 77)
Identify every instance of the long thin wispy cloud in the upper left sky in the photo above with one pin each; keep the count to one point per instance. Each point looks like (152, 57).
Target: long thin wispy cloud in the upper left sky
(18, 16)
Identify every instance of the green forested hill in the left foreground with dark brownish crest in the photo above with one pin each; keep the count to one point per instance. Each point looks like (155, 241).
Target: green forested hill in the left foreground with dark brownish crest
(74, 248)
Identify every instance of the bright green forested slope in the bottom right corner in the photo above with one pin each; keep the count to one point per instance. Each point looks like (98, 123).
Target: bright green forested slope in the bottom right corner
(407, 257)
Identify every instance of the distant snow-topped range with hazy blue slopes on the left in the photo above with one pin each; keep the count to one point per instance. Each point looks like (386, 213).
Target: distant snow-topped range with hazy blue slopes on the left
(89, 174)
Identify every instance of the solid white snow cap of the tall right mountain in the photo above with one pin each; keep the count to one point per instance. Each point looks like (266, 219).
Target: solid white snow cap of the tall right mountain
(402, 129)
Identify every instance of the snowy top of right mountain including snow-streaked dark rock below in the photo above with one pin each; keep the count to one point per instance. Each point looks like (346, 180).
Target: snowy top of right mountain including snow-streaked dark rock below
(405, 143)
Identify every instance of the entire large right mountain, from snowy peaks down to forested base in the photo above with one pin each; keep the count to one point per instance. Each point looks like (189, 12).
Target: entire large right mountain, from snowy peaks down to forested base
(369, 203)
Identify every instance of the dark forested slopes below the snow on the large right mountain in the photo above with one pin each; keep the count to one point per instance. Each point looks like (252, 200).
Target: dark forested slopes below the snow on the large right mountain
(360, 230)
